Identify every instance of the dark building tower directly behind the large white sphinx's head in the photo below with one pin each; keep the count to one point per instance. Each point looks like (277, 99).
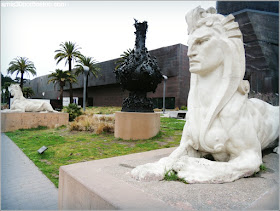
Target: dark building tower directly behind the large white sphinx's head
(259, 24)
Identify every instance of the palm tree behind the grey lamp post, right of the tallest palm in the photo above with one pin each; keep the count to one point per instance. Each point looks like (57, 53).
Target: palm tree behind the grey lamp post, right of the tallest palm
(93, 69)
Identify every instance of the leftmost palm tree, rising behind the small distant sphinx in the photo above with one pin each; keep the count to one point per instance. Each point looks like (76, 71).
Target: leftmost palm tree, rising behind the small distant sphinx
(21, 65)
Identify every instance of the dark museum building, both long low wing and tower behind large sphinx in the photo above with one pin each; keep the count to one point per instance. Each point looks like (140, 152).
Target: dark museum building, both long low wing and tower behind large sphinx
(259, 24)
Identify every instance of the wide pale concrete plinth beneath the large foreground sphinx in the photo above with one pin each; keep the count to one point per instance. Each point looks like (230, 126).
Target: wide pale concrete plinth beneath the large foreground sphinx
(106, 184)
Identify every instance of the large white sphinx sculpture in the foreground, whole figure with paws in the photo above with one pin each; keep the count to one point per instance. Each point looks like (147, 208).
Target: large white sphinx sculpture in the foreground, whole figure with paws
(221, 120)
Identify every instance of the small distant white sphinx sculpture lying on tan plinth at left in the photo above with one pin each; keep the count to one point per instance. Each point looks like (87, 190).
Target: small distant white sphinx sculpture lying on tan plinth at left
(21, 104)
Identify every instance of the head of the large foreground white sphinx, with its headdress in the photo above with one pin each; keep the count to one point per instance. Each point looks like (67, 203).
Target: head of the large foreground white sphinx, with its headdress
(214, 40)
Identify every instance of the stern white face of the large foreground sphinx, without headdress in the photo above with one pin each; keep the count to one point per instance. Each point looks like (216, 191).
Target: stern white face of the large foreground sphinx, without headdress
(205, 50)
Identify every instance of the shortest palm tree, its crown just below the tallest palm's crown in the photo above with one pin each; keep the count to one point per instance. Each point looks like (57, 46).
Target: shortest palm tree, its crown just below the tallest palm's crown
(61, 77)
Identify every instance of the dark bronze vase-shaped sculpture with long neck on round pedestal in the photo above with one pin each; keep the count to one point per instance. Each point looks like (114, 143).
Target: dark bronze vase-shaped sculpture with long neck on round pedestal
(138, 73)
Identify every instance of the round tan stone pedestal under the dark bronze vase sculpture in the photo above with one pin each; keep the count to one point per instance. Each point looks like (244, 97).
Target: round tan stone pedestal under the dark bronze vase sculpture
(136, 125)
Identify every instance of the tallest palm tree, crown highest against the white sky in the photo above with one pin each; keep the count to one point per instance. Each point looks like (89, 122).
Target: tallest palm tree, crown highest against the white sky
(68, 51)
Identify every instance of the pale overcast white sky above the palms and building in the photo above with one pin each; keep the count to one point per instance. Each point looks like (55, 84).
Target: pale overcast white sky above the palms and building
(103, 29)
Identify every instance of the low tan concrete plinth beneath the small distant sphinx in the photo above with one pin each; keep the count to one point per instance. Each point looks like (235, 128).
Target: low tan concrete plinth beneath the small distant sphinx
(26, 120)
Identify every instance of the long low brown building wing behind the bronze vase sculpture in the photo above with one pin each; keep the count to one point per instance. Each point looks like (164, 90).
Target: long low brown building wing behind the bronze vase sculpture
(105, 91)
